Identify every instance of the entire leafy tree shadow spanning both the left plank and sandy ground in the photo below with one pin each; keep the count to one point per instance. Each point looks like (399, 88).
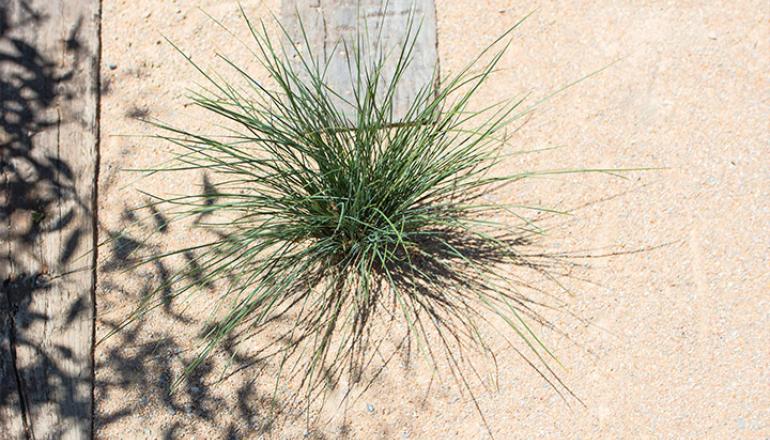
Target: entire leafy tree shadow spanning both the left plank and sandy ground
(33, 184)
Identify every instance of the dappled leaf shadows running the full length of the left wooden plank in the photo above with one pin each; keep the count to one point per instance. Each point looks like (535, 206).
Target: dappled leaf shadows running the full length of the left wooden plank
(42, 233)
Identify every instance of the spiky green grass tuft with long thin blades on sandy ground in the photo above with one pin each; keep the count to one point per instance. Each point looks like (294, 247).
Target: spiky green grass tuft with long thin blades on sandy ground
(332, 212)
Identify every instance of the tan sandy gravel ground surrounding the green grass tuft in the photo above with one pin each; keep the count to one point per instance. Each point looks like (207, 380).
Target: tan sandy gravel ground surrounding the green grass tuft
(671, 342)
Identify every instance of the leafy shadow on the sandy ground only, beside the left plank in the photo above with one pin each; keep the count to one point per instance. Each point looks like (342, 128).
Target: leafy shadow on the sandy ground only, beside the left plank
(141, 363)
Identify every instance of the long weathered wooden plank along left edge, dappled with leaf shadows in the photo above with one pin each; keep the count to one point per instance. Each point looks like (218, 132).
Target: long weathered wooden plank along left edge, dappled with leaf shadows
(49, 53)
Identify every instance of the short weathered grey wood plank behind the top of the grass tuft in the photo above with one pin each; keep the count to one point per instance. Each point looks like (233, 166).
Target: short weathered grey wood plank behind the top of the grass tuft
(384, 23)
